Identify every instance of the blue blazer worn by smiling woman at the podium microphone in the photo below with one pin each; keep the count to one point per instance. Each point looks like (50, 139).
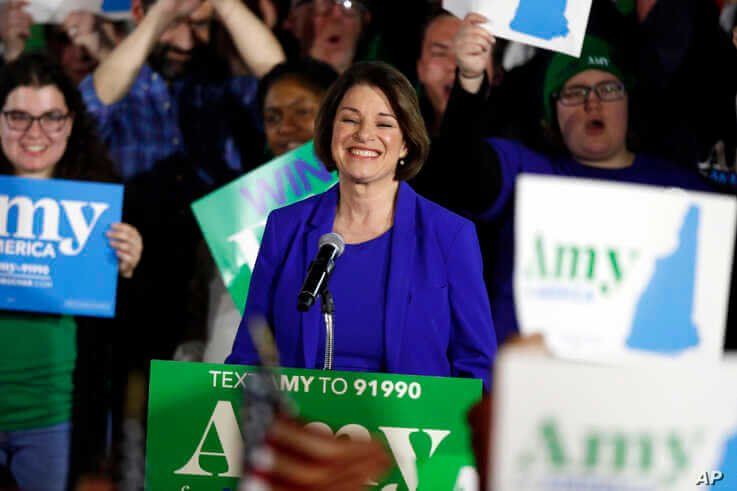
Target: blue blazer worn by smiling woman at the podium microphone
(437, 313)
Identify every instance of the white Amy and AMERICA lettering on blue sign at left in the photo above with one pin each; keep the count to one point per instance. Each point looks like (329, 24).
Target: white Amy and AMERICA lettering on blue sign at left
(50, 217)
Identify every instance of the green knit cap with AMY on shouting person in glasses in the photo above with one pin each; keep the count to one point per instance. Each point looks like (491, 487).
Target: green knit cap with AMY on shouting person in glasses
(595, 55)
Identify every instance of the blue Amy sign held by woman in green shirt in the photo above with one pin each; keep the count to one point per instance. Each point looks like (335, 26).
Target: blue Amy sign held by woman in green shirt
(54, 254)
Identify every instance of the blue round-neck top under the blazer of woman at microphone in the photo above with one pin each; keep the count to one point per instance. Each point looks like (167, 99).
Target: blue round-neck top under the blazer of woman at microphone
(359, 294)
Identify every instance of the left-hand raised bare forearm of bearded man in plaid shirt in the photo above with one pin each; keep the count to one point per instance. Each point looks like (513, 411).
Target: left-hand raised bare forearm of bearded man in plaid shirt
(115, 76)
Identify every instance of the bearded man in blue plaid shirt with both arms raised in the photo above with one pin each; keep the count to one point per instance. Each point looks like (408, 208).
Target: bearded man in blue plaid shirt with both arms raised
(162, 92)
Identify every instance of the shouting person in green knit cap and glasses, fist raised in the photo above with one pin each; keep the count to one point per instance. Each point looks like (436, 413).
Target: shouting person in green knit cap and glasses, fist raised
(587, 110)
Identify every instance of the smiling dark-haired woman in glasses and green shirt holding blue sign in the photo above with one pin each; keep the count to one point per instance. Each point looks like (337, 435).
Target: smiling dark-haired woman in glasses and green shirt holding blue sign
(46, 133)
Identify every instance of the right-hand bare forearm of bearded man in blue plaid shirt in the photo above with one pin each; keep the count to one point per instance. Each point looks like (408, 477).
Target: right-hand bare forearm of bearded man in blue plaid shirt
(256, 44)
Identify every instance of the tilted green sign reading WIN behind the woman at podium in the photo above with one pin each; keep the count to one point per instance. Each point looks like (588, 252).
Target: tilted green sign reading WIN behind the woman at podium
(233, 218)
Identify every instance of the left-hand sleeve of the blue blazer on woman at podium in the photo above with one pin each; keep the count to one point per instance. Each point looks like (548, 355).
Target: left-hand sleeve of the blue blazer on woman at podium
(260, 297)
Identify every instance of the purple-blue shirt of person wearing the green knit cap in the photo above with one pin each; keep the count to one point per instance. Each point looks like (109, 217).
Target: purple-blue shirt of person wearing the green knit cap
(514, 159)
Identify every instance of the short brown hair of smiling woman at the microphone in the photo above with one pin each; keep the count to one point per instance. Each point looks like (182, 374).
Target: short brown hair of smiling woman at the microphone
(403, 101)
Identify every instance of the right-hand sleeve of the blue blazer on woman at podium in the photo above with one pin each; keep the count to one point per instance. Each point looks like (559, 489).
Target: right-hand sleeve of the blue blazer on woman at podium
(473, 342)
